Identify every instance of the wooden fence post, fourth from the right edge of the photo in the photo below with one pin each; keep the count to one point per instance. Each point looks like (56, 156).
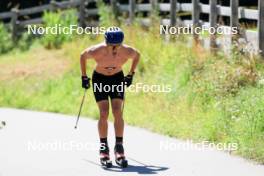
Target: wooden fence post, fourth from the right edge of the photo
(195, 18)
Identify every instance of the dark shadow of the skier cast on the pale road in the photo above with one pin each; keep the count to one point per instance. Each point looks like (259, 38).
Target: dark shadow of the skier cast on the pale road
(140, 169)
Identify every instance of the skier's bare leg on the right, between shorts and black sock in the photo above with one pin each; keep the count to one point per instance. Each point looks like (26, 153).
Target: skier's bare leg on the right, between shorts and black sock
(118, 118)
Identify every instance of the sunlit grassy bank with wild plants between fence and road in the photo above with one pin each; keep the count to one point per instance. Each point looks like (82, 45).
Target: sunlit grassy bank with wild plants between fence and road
(213, 97)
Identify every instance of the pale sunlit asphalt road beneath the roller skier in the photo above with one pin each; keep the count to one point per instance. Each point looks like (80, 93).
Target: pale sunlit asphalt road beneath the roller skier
(46, 144)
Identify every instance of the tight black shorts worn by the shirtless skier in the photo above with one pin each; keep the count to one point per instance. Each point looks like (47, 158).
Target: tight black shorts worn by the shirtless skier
(108, 86)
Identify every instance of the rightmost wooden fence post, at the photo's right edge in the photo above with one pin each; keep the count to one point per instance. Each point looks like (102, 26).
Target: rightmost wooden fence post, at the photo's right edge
(261, 27)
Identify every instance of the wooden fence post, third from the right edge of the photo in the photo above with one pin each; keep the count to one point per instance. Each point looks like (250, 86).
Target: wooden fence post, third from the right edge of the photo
(213, 23)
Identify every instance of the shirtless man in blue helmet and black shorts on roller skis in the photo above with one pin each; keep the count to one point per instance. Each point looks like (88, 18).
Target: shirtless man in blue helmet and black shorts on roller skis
(110, 56)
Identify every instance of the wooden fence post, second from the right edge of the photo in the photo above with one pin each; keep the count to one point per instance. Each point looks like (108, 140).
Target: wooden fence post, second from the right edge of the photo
(234, 17)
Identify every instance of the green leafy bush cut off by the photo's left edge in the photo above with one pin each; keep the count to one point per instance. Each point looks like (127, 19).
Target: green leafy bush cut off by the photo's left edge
(5, 39)
